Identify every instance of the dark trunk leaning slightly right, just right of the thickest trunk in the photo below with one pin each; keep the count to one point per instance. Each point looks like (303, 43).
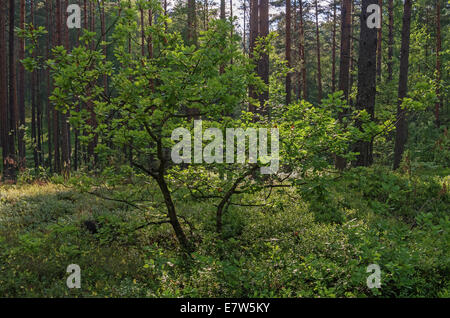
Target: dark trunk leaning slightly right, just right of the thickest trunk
(402, 124)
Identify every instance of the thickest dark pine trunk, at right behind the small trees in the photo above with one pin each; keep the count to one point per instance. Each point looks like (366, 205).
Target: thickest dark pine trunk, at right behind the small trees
(367, 69)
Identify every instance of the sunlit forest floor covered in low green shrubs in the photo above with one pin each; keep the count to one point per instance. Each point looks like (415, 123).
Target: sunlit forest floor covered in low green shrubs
(304, 244)
